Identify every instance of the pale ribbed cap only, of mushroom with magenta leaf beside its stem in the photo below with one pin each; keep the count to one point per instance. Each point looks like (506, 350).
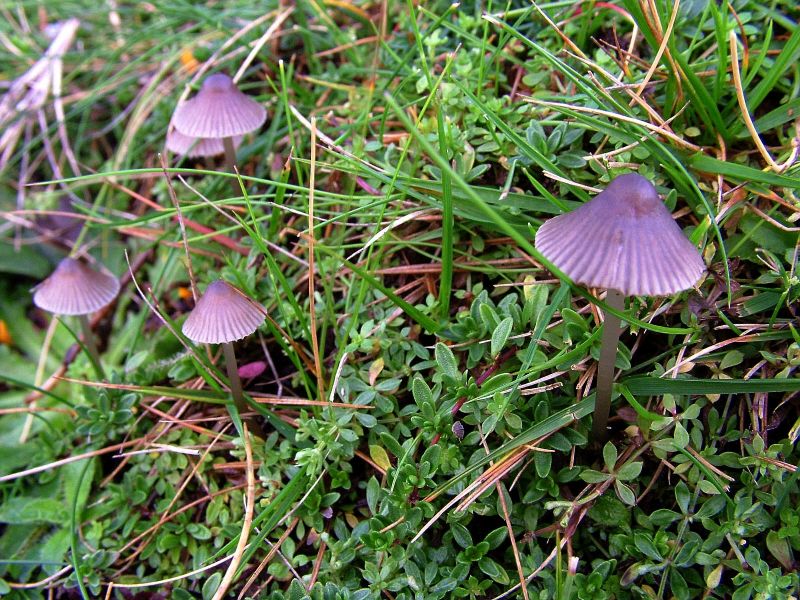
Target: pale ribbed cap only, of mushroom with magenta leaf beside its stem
(223, 314)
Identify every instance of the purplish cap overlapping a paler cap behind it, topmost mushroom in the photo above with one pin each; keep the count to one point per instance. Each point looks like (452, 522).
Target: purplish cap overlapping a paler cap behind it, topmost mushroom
(219, 110)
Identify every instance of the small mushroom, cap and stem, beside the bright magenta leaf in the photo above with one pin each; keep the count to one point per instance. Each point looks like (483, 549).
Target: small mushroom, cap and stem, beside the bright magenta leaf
(224, 314)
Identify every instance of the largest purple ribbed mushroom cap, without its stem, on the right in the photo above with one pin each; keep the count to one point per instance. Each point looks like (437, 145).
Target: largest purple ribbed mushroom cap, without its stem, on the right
(623, 239)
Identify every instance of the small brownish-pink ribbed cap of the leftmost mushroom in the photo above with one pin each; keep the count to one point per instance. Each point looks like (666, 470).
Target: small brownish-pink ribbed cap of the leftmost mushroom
(75, 289)
